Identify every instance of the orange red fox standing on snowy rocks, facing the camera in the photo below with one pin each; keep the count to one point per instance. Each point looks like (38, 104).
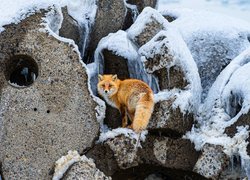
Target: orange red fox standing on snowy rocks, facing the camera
(132, 97)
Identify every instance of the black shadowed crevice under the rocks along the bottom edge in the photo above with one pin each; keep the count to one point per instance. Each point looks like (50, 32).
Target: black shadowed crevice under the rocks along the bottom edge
(144, 171)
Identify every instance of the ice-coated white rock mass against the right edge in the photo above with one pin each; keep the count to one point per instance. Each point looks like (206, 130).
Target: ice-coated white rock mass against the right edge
(232, 87)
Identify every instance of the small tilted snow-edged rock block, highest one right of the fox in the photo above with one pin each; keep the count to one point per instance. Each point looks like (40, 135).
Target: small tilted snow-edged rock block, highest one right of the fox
(146, 26)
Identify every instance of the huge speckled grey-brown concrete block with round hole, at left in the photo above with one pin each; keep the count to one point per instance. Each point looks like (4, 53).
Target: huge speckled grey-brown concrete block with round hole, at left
(44, 119)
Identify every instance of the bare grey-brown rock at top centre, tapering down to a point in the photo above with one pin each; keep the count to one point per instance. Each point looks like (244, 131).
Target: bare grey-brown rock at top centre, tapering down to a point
(110, 17)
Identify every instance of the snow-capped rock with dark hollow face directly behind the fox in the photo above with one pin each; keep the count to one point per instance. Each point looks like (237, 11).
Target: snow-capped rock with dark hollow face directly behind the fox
(116, 49)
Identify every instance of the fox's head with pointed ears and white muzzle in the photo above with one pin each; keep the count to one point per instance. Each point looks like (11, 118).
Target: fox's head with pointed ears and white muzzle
(107, 85)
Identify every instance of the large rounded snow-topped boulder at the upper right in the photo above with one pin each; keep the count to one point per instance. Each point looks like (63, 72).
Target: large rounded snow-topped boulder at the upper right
(213, 39)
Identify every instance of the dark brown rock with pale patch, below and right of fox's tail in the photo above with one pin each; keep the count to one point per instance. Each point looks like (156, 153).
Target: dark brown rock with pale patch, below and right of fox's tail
(168, 152)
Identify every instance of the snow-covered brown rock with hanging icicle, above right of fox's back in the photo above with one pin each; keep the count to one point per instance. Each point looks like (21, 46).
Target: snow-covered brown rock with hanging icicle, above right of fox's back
(168, 60)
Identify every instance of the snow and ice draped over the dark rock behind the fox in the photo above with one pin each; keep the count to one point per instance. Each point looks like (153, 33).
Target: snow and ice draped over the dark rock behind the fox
(120, 45)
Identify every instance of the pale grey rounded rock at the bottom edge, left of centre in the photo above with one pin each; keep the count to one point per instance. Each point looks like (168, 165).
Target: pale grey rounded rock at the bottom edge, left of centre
(85, 170)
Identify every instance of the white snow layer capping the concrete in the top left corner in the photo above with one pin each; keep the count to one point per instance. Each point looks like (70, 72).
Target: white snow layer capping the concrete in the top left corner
(15, 11)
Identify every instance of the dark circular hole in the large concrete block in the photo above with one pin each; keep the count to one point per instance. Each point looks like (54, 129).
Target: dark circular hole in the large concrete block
(21, 71)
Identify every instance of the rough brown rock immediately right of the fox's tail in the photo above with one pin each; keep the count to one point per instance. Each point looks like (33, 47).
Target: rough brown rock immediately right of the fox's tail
(171, 122)
